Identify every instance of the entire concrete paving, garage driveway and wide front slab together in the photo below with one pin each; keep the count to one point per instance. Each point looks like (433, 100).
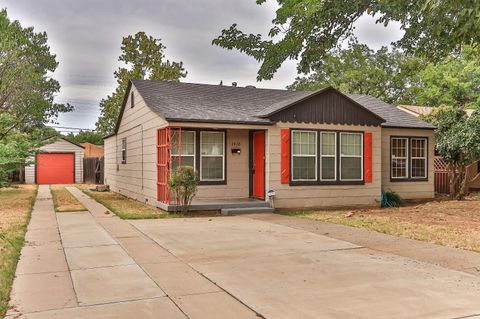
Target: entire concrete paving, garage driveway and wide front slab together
(95, 265)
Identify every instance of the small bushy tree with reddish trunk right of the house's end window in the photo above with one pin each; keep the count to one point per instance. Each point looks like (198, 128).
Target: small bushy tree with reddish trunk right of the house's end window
(457, 140)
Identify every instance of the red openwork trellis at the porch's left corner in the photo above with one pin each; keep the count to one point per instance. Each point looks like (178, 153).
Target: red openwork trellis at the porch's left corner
(164, 146)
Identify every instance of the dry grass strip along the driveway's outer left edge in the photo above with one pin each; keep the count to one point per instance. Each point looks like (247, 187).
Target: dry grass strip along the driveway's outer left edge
(15, 208)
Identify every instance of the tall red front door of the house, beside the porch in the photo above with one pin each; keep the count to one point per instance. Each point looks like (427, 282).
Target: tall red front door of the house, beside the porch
(259, 164)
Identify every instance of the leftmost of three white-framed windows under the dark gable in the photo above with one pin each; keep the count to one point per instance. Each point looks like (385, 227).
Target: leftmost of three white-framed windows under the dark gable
(304, 155)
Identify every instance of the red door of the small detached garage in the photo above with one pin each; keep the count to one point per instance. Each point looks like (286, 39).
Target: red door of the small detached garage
(55, 168)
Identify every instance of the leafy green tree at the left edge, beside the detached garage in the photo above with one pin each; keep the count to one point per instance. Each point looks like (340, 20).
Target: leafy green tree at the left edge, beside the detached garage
(26, 92)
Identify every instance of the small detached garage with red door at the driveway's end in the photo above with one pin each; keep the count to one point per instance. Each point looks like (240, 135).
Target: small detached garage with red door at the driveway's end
(60, 162)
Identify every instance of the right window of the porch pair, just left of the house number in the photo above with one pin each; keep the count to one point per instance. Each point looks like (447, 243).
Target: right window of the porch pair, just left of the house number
(212, 156)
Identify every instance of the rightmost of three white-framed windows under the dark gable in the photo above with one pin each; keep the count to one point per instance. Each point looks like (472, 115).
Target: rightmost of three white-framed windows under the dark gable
(351, 156)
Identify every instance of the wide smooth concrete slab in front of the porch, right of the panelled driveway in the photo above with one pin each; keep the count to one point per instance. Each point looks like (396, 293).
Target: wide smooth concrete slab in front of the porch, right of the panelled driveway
(281, 272)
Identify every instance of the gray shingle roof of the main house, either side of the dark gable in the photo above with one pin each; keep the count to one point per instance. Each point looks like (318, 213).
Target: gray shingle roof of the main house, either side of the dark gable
(214, 103)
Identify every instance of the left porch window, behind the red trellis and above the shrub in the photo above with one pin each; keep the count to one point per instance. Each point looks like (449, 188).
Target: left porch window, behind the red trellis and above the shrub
(186, 148)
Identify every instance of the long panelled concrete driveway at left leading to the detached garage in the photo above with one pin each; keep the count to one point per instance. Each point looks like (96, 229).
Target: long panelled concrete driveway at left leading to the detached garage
(95, 265)
